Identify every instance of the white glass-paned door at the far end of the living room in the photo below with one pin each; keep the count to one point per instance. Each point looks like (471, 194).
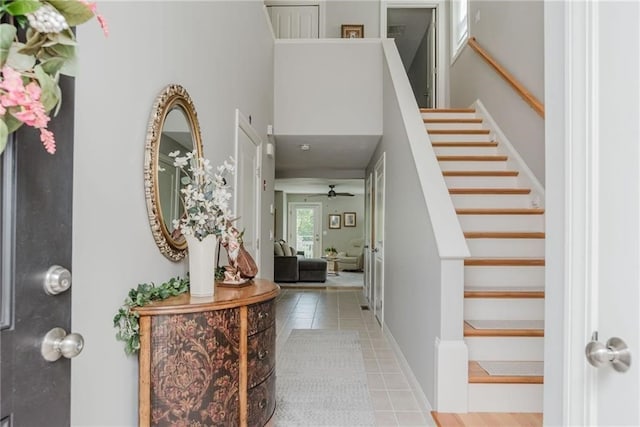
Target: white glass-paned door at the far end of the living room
(305, 226)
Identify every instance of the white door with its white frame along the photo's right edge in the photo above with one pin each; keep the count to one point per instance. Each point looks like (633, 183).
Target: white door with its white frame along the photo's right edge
(598, 189)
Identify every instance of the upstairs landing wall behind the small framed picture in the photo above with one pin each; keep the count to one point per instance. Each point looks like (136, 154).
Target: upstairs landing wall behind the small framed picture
(365, 12)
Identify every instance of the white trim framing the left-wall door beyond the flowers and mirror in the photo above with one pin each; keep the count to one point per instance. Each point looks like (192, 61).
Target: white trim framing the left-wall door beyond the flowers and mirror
(241, 123)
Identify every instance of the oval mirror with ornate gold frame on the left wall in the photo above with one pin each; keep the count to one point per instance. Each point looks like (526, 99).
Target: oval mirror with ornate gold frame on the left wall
(173, 126)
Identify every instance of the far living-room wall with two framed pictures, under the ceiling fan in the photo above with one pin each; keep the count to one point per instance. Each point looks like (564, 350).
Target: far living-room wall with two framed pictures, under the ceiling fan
(338, 238)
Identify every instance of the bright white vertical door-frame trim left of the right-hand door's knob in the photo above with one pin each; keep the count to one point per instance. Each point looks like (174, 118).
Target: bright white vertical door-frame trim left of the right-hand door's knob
(580, 79)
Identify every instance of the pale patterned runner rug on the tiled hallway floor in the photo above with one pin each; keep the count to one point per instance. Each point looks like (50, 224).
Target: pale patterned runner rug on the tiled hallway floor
(321, 380)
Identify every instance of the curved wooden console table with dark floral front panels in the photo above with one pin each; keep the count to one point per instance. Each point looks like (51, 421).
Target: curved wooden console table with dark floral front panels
(209, 361)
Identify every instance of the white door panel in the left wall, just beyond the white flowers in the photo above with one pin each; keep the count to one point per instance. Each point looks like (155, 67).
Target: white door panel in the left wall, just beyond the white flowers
(247, 185)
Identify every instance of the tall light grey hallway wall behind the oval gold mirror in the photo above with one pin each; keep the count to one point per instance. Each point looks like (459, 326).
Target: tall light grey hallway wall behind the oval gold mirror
(150, 46)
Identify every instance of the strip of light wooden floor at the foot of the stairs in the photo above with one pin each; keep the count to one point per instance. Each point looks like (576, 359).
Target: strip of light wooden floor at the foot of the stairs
(487, 419)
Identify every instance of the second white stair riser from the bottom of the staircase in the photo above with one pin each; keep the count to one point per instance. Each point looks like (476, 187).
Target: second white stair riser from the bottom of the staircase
(505, 348)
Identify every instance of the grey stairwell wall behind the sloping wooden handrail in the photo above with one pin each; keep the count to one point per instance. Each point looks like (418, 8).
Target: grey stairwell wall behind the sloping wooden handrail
(513, 33)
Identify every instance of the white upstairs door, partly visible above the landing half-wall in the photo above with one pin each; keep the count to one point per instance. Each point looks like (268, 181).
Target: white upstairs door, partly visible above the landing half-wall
(294, 22)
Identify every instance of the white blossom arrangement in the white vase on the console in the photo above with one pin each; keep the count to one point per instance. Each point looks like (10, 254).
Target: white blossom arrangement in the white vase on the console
(205, 196)
